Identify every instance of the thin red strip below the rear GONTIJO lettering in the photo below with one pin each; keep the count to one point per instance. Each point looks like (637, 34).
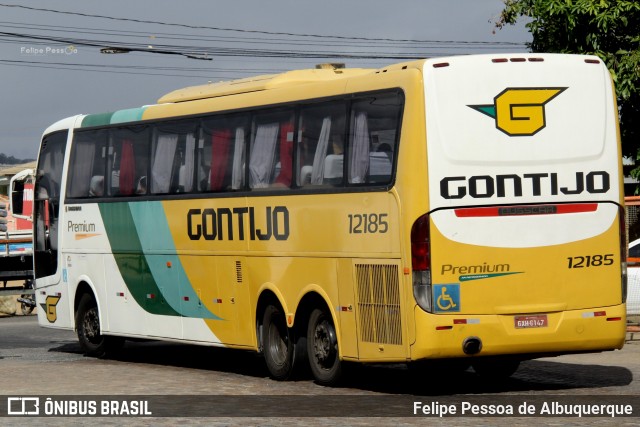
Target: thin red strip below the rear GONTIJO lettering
(492, 211)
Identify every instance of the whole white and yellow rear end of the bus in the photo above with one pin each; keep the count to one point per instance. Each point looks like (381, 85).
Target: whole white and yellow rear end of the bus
(521, 246)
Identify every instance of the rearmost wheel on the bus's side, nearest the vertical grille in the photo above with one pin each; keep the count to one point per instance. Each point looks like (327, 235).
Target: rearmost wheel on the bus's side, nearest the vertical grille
(322, 348)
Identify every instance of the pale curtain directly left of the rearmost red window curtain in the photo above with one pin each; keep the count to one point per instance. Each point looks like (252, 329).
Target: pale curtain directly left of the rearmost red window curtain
(262, 155)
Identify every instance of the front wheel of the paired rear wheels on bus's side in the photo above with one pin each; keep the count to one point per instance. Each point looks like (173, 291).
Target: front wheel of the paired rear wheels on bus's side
(278, 342)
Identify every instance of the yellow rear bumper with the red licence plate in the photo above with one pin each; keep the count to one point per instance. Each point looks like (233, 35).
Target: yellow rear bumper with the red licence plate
(529, 335)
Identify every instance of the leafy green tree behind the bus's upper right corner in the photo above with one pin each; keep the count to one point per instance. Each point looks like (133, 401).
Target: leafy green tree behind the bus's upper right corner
(609, 29)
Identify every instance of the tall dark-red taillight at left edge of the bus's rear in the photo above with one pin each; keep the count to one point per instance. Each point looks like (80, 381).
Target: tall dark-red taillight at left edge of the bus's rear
(421, 262)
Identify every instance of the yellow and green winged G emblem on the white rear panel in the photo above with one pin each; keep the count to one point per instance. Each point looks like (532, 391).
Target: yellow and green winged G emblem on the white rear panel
(520, 111)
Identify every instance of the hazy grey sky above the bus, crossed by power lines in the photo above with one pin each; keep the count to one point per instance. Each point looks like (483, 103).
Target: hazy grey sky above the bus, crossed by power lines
(52, 66)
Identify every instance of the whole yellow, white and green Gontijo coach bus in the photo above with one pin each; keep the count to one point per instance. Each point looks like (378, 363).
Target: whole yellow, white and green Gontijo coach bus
(462, 209)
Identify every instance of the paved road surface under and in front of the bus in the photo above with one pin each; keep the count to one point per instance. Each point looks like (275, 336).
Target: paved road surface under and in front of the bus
(46, 362)
